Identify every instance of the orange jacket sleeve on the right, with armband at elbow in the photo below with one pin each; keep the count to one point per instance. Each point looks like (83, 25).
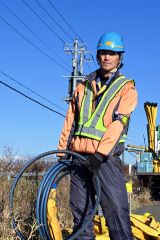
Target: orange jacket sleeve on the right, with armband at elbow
(126, 106)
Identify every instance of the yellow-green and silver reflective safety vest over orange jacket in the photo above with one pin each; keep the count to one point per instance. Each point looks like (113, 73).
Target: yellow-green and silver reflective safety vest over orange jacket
(91, 124)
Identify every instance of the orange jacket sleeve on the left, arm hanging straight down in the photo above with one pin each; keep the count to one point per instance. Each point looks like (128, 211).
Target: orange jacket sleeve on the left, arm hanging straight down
(68, 127)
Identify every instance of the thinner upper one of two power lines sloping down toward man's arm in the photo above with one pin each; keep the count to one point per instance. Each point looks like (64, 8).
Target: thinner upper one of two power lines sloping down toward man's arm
(24, 86)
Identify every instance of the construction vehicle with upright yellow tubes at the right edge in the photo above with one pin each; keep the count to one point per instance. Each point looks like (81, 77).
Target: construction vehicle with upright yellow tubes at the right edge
(147, 167)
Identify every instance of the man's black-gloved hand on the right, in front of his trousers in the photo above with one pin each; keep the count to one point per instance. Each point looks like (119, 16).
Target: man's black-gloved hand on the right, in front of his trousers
(93, 162)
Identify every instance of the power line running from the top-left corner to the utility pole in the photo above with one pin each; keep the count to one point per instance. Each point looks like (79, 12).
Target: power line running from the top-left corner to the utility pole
(36, 35)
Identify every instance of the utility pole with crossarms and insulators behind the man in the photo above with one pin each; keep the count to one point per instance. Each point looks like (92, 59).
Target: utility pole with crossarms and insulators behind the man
(78, 52)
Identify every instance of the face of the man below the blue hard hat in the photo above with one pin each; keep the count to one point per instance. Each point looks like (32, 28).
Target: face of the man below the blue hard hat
(108, 60)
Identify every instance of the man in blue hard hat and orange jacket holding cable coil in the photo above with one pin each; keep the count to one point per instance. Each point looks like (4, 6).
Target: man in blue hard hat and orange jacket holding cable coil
(96, 126)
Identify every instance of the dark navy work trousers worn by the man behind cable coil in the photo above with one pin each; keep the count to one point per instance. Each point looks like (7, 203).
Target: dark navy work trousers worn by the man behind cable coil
(114, 200)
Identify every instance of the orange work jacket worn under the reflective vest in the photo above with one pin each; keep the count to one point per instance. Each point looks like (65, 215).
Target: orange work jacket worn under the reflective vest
(124, 102)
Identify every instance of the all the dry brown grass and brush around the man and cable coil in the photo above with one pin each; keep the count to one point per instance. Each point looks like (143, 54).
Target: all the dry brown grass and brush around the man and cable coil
(25, 197)
